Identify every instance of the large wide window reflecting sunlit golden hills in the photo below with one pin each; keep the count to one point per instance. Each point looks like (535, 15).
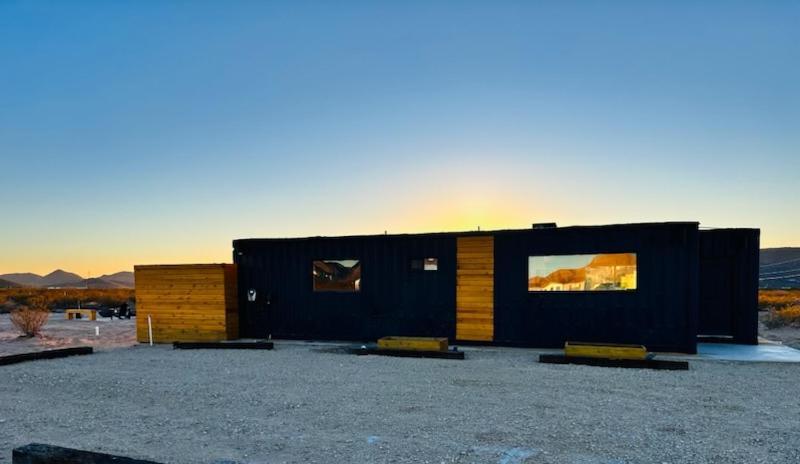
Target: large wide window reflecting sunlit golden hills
(578, 273)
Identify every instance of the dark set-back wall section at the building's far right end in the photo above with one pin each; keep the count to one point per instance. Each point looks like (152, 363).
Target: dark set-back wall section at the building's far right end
(729, 284)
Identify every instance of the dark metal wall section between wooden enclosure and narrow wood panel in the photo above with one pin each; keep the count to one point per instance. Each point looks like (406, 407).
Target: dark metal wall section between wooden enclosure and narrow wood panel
(394, 298)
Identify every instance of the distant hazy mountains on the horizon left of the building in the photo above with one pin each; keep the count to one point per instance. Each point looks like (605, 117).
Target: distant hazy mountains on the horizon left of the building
(63, 279)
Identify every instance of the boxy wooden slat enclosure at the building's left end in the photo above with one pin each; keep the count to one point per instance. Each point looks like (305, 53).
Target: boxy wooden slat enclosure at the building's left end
(187, 303)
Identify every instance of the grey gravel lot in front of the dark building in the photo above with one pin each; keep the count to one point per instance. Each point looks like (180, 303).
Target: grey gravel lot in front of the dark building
(307, 403)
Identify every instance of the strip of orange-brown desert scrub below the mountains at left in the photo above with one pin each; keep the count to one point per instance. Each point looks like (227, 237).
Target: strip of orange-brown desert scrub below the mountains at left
(16, 298)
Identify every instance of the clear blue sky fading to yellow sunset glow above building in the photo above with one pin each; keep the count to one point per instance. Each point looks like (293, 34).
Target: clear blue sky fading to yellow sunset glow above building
(158, 132)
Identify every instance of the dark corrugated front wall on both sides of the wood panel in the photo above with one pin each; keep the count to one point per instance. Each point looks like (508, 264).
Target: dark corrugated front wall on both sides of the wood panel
(396, 300)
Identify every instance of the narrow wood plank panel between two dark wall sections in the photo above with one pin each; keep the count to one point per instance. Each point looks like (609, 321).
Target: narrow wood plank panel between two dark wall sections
(475, 288)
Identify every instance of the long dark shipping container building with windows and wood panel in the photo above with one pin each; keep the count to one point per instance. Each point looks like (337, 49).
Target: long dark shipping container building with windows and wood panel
(538, 287)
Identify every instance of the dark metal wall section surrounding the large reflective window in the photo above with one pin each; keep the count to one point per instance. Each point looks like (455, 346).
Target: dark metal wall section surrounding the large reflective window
(660, 313)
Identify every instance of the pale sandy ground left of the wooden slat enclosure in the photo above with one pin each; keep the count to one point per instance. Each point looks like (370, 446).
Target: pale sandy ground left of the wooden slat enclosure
(61, 333)
